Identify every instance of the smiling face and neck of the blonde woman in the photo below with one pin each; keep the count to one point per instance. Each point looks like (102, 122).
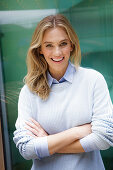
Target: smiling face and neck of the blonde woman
(56, 48)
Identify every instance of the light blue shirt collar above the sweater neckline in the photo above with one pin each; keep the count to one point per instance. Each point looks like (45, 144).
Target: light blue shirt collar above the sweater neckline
(68, 76)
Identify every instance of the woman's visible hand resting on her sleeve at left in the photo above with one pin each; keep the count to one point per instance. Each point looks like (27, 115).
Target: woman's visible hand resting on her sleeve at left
(35, 128)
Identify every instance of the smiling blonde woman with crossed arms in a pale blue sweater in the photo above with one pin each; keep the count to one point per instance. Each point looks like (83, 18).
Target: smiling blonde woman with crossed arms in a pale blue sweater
(64, 111)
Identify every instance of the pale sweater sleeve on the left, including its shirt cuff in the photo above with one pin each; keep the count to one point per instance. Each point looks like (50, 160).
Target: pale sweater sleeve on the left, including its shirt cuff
(29, 147)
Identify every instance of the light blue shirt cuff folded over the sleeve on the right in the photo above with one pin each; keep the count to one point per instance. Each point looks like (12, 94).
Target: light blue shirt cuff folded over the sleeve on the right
(88, 143)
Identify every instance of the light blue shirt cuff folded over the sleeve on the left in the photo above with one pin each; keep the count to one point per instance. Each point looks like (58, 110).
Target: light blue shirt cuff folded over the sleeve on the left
(41, 147)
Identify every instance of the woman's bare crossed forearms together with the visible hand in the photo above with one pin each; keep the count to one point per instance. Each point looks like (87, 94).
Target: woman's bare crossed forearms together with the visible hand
(67, 141)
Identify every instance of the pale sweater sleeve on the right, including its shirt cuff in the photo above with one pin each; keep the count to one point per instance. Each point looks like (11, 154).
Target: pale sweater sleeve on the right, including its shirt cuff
(101, 137)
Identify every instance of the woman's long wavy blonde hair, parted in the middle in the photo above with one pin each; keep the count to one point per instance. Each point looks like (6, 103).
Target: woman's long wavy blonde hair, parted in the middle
(36, 78)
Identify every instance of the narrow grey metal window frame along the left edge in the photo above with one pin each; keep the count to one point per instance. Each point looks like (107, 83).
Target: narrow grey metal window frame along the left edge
(3, 117)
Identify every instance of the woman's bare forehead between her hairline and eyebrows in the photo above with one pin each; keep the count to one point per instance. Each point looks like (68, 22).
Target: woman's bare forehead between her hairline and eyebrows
(55, 34)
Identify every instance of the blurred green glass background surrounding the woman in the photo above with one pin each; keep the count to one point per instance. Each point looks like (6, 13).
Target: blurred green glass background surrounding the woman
(93, 23)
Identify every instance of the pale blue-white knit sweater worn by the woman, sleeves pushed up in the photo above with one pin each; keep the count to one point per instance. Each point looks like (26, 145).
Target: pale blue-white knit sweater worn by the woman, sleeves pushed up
(84, 100)
